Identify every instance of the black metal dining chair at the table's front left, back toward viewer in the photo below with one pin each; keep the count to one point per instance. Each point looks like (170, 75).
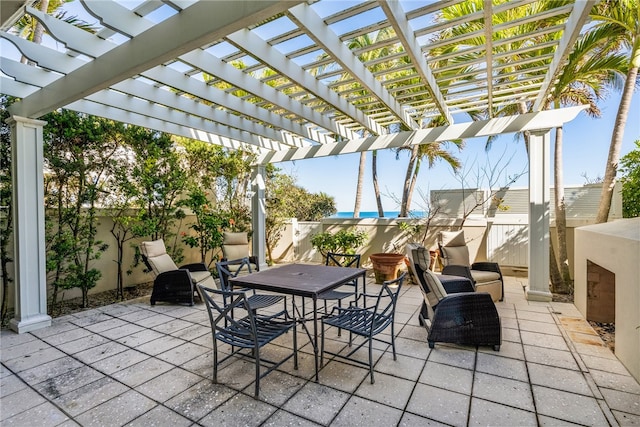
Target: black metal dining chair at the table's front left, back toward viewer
(250, 332)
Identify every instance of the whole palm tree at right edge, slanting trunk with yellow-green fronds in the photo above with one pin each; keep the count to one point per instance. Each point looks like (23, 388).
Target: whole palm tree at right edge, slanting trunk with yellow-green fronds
(621, 18)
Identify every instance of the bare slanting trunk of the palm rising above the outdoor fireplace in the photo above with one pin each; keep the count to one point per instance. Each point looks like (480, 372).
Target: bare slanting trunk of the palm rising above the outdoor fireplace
(611, 170)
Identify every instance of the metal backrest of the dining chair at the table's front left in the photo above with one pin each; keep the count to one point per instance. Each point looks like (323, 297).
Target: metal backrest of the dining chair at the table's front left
(226, 327)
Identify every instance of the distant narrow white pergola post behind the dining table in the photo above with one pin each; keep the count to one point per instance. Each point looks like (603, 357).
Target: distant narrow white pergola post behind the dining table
(258, 216)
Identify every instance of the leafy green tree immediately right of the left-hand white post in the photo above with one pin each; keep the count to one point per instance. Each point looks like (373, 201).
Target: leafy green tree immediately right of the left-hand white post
(78, 150)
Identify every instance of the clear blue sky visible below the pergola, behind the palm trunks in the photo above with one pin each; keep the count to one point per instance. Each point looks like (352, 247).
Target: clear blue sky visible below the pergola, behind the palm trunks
(586, 147)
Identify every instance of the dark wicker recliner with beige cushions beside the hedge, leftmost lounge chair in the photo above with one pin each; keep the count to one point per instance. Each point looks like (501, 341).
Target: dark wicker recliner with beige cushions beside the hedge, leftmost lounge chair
(173, 284)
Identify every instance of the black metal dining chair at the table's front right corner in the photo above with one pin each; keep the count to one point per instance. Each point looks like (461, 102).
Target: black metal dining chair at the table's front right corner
(366, 321)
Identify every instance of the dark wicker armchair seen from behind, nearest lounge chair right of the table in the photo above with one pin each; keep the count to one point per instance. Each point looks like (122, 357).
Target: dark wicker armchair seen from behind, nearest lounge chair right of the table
(469, 318)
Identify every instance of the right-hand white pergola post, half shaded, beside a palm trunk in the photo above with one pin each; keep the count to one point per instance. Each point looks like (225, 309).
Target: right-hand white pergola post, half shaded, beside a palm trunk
(539, 181)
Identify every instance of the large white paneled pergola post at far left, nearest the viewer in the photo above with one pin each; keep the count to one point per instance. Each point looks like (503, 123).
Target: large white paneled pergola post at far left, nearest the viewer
(28, 225)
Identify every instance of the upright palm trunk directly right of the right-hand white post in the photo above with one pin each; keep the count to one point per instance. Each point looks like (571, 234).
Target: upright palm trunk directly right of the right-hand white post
(561, 217)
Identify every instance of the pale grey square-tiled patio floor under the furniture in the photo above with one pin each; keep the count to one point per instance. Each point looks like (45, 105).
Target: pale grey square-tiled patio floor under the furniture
(137, 365)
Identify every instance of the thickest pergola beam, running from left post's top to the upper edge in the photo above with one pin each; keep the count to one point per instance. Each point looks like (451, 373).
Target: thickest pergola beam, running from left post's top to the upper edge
(181, 33)
